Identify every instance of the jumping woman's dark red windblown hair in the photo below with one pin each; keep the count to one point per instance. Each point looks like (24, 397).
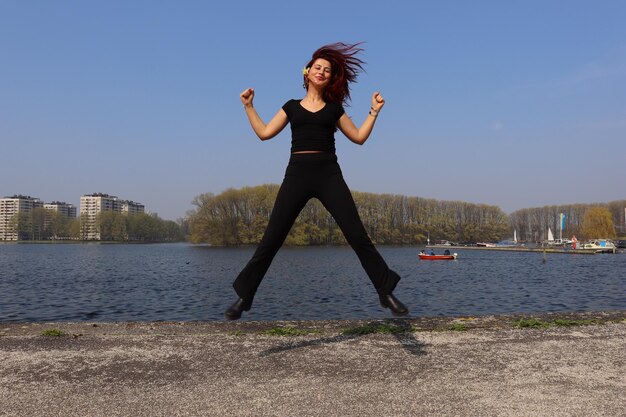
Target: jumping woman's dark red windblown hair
(345, 67)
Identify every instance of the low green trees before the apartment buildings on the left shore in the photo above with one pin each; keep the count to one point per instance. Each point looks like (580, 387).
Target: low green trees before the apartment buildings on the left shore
(42, 224)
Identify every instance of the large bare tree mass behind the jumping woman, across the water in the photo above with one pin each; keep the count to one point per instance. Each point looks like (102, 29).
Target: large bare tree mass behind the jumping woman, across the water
(239, 217)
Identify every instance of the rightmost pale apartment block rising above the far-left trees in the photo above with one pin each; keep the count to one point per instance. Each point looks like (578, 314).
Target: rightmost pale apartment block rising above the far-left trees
(92, 204)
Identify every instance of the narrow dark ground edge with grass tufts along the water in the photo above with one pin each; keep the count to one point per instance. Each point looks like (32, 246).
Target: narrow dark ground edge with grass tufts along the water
(302, 327)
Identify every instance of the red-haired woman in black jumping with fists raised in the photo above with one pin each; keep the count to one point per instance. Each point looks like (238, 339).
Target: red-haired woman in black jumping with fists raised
(313, 171)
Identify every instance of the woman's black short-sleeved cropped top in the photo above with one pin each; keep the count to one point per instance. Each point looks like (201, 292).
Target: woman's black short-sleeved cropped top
(313, 131)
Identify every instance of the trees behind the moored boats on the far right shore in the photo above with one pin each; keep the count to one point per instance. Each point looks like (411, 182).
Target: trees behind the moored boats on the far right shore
(585, 221)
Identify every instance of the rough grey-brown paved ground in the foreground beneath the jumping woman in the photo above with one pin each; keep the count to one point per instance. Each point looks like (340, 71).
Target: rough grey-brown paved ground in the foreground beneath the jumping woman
(328, 368)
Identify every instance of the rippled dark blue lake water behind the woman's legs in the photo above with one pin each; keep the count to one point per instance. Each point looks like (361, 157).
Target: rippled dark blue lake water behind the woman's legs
(182, 282)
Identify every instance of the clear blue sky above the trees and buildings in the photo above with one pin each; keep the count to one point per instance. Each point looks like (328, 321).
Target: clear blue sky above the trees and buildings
(512, 103)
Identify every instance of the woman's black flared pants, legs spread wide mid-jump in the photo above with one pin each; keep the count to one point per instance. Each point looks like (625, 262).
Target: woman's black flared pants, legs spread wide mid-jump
(315, 175)
